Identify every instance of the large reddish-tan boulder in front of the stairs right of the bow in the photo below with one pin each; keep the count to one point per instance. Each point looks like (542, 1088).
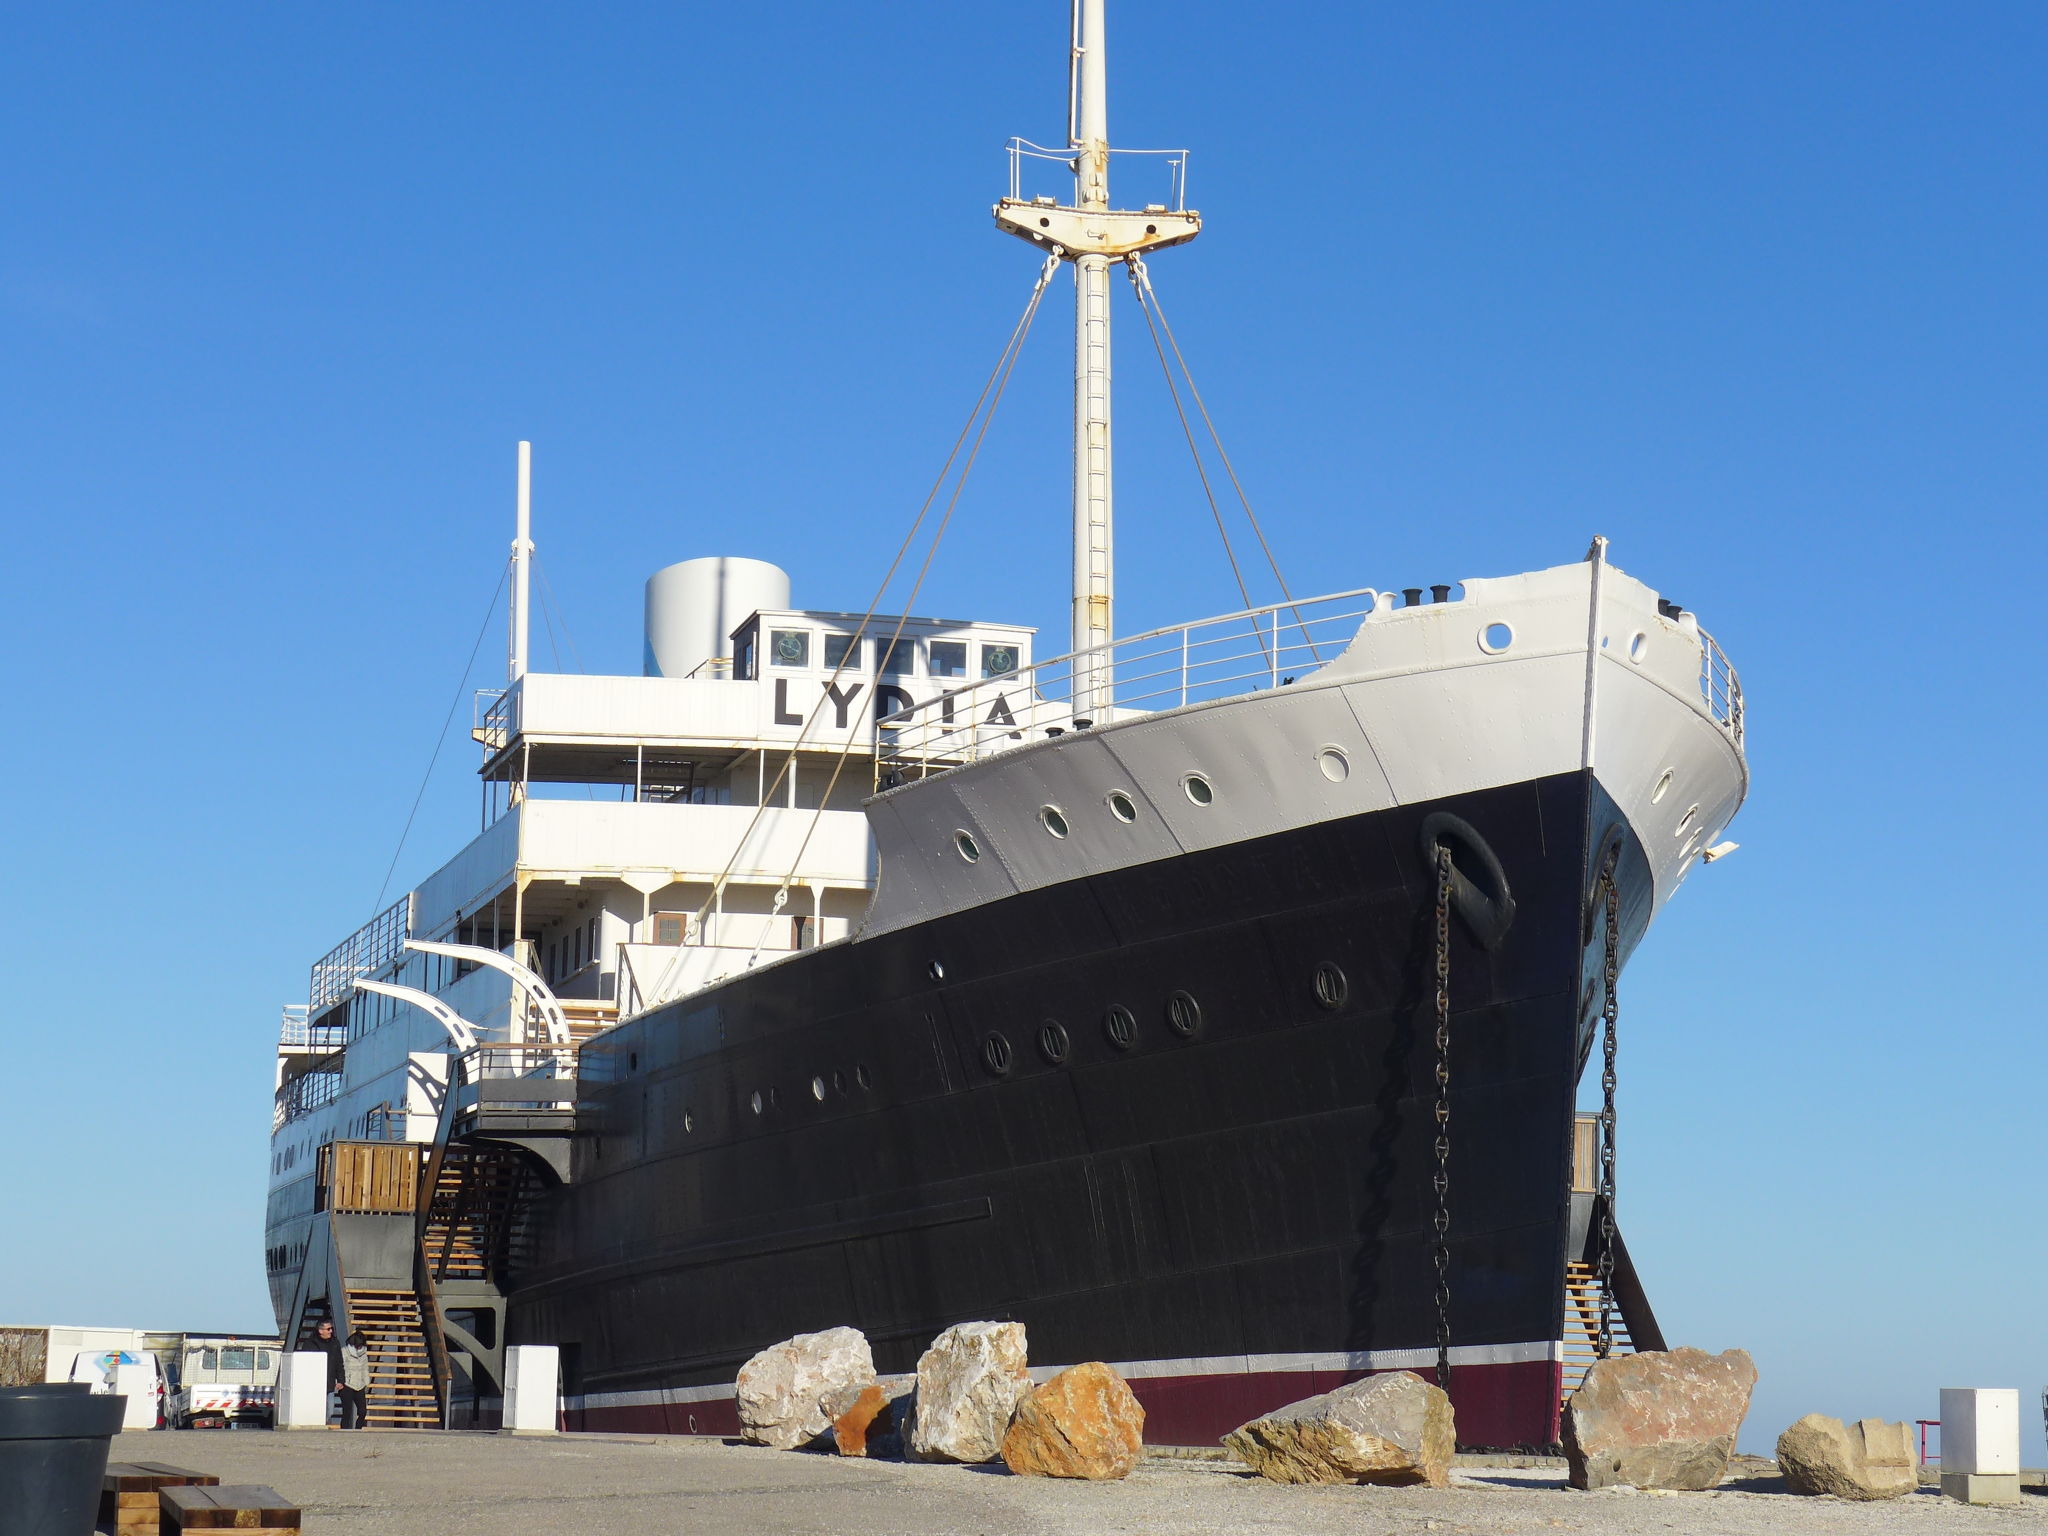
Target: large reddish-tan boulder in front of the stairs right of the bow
(1658, 1420)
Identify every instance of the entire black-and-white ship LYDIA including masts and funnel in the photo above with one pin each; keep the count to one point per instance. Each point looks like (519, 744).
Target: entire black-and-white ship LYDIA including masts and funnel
(1218, 1002)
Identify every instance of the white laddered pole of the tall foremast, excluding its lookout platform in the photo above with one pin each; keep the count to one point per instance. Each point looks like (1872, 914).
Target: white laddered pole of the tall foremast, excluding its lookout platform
(1095, 577)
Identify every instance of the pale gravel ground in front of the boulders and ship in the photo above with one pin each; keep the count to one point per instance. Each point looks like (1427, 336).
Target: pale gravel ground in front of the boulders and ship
(589, 1486)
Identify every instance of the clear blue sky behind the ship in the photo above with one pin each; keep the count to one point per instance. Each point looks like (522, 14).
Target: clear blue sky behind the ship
(1754, 290)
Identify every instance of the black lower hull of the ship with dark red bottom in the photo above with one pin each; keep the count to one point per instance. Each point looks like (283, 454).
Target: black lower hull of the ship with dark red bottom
(1254, 1193)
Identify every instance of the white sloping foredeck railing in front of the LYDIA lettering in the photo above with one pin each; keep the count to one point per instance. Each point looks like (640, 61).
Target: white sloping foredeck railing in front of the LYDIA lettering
(1164, 669)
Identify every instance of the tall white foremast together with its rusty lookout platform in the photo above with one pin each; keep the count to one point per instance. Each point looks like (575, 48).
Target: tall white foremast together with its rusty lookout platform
(1093, 237)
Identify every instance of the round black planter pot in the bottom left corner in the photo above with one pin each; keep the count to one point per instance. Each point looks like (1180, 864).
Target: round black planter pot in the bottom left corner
(54, 1443)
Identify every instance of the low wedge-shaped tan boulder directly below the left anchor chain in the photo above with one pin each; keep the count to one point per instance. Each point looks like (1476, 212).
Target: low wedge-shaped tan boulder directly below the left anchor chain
(1394, 1428)
